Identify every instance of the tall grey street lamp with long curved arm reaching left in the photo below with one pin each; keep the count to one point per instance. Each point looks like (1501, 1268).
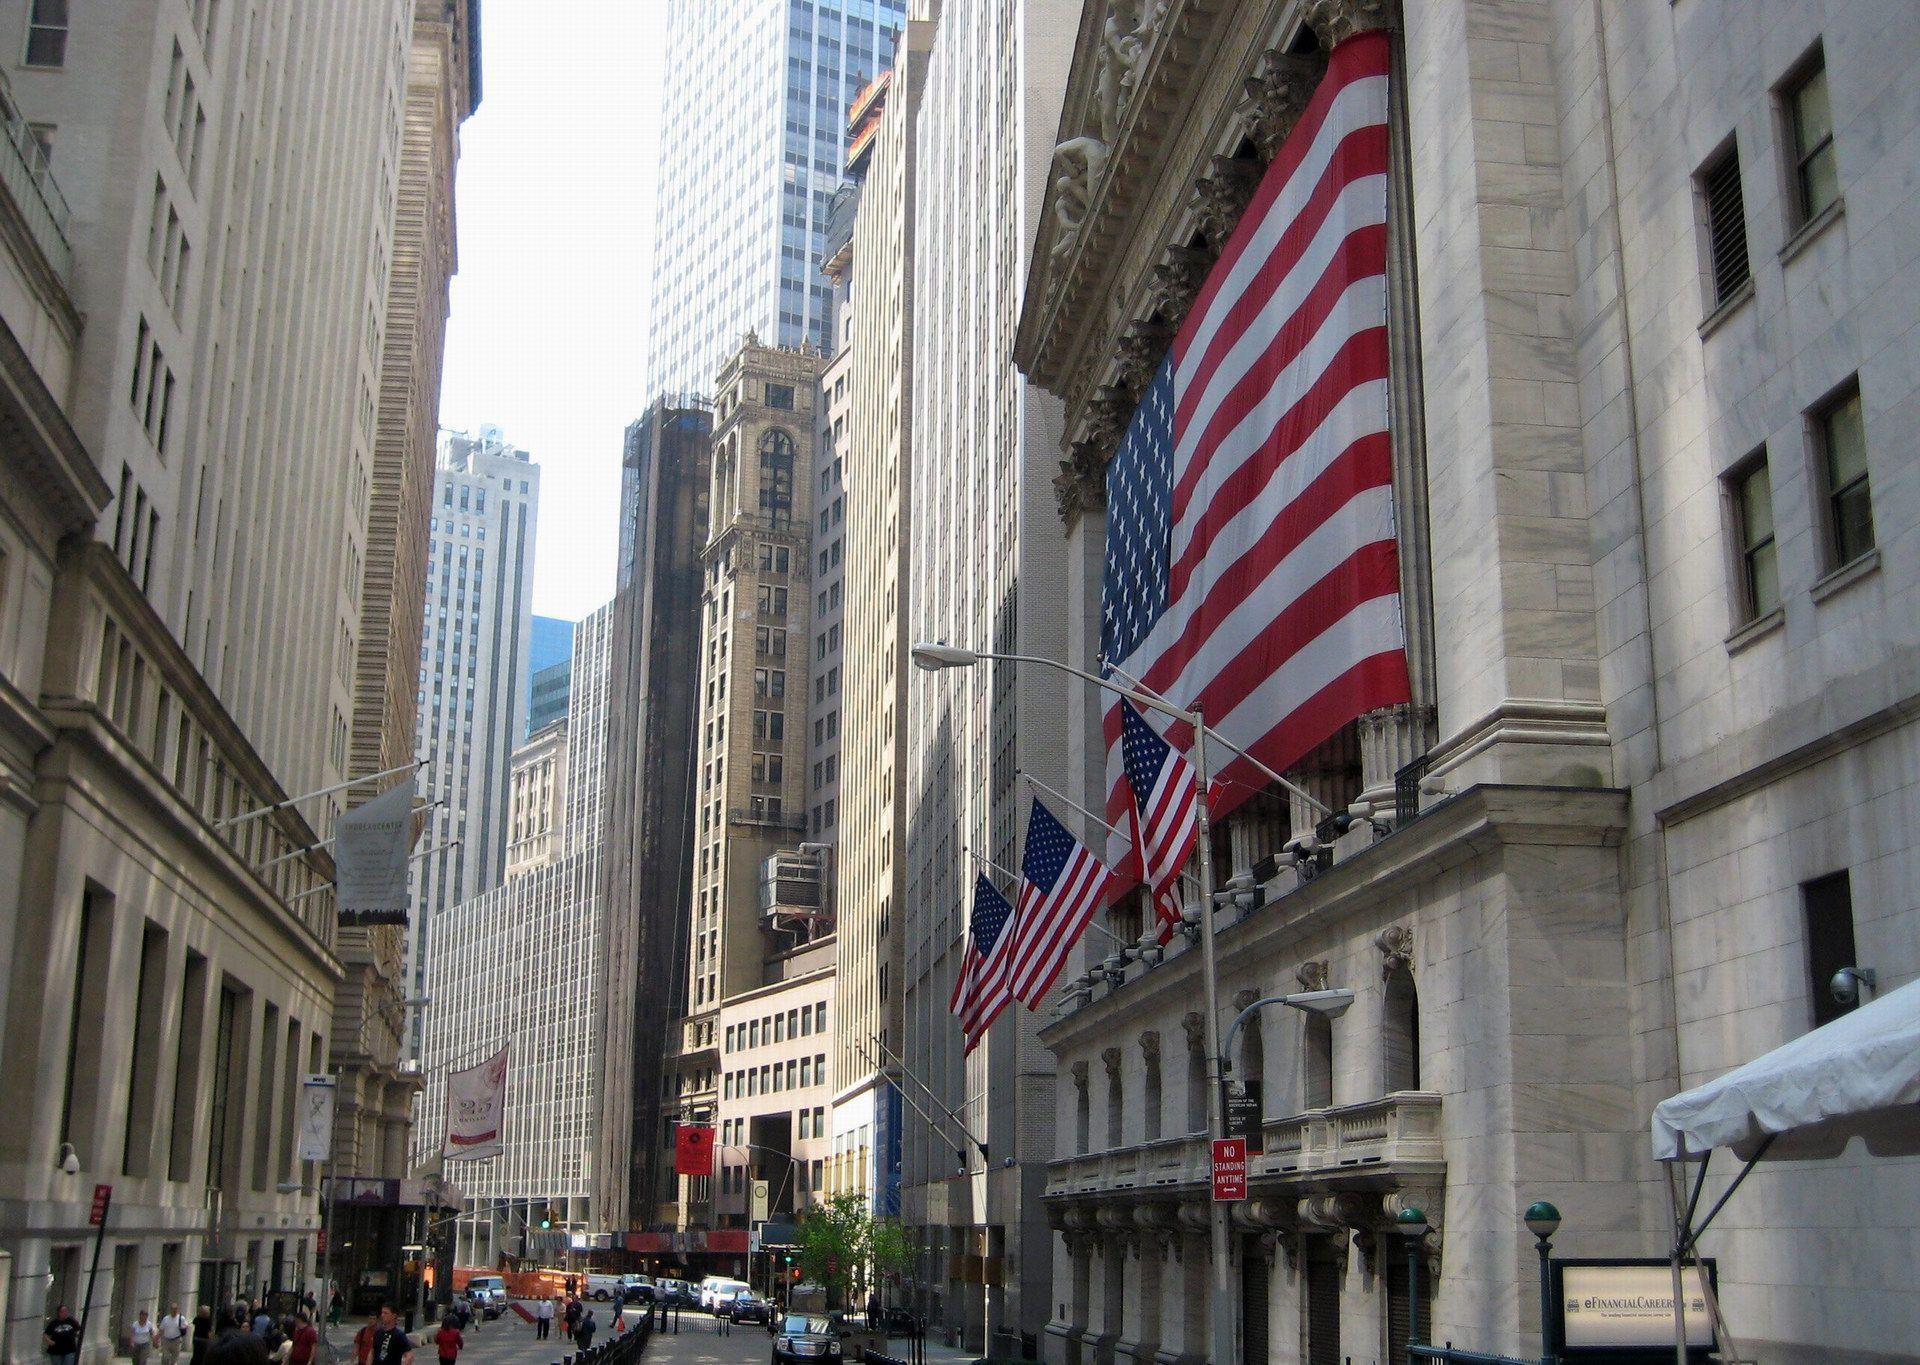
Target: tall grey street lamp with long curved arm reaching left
(936, 658)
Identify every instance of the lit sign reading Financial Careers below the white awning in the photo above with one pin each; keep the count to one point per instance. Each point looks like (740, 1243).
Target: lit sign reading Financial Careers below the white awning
(1625, 1308)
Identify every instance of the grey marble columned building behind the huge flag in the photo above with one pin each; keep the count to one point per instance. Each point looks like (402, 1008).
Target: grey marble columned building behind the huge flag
(1648, 391)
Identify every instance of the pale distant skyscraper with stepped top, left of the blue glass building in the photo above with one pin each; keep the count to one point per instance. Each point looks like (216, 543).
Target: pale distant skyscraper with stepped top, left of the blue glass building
(473, 671)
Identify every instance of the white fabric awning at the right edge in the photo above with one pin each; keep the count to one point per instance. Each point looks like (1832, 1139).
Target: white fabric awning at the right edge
(1858, 1076)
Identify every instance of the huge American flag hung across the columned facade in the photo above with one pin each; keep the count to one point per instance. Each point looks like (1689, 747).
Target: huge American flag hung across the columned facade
(1251, 562)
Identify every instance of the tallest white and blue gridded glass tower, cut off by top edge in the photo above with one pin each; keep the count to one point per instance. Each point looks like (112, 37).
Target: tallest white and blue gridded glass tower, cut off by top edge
(752, 149)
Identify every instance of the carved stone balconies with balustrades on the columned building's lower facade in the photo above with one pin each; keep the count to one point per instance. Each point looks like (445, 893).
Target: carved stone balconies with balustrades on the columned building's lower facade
(1380, 1145)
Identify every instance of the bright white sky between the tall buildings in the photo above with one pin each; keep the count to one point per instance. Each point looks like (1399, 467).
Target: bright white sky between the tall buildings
(548, 323)
